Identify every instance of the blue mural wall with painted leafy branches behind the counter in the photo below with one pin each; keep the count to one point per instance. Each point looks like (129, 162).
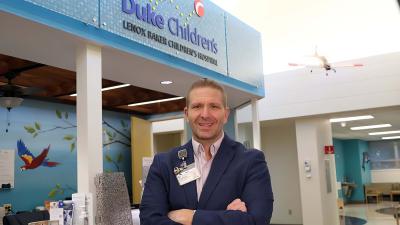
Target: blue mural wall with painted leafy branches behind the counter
(38, 125)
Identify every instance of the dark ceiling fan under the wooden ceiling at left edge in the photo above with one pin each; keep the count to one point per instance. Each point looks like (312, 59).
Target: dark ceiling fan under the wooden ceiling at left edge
(11, 95)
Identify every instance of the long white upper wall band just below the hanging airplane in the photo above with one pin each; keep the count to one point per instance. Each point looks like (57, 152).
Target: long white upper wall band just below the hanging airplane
(299, 93)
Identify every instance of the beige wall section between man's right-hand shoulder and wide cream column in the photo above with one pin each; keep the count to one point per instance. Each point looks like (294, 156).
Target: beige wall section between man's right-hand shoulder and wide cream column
(278, 141)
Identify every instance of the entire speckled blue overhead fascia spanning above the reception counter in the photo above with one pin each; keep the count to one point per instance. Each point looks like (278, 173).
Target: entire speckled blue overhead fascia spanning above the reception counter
(196, 31)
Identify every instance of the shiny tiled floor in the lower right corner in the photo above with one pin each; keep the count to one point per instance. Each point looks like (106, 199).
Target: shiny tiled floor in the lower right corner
(367, 212)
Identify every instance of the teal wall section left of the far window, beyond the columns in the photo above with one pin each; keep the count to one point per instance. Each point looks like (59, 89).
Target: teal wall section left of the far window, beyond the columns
(349, 160)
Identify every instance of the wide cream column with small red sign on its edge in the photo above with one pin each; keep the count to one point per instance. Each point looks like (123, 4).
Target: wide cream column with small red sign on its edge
(319, 206)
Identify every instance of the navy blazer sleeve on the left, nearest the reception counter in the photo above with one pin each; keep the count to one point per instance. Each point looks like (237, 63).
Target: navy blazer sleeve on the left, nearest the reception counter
(154, 206)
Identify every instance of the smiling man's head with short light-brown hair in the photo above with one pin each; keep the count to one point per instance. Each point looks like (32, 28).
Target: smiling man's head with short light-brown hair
(206, 110)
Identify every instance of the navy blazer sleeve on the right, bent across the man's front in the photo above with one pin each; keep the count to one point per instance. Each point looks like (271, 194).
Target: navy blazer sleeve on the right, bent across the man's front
(257, 195)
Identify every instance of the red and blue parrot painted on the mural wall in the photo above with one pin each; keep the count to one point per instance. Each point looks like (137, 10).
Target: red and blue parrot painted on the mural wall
(32, 162)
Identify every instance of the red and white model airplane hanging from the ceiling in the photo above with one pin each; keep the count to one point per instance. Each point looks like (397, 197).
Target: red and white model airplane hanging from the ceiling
(321, 62)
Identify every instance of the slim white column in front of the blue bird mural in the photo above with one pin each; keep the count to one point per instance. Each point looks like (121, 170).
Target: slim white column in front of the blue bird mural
(89, 119)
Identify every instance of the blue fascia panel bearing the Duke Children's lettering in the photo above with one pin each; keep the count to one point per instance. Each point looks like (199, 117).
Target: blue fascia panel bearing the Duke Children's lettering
(192, 30)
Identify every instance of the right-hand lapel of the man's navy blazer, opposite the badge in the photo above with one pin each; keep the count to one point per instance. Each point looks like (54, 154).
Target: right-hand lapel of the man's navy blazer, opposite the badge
(220, 163)
